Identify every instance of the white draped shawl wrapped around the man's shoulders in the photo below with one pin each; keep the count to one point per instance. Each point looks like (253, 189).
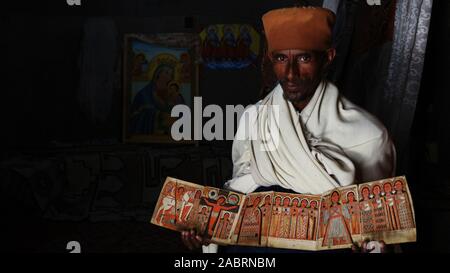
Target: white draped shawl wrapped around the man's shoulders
(331, 143)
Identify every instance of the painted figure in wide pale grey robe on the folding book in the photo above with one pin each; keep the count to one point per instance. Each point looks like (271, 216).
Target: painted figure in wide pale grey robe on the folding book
(337, 232)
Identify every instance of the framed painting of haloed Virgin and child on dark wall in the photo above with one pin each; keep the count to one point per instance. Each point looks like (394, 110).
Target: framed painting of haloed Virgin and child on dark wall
(160, 72)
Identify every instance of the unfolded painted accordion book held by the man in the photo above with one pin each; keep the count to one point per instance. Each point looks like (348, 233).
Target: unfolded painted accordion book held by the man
(379, 210)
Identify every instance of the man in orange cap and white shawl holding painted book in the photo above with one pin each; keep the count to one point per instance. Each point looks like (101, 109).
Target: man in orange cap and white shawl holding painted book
(304, 136)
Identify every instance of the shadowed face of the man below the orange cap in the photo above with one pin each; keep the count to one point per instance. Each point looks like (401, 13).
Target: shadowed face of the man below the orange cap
(298, 71)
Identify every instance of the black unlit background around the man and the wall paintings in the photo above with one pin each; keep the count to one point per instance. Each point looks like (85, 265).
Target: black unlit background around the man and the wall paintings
(65, 177)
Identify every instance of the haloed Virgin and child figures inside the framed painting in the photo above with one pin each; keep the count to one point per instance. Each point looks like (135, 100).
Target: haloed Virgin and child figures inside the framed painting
(158, 84)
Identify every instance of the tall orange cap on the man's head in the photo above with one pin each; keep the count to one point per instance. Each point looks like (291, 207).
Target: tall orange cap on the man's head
(298, 28)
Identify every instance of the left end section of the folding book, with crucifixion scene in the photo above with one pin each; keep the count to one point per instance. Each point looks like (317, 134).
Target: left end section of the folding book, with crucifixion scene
(212, 212)
